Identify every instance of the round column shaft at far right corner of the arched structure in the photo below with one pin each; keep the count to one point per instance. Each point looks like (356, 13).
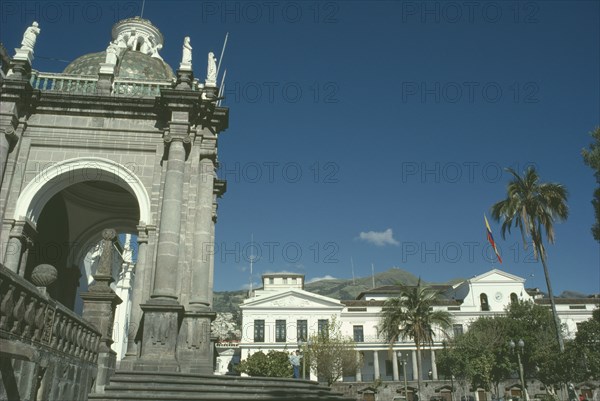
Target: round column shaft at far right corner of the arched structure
(203, 244)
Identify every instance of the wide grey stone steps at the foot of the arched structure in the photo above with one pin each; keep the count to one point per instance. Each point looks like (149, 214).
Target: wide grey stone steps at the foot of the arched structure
(141, 386)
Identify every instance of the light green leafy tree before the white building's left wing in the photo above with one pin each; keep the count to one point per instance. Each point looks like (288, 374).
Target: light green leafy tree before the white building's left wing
(331, 354)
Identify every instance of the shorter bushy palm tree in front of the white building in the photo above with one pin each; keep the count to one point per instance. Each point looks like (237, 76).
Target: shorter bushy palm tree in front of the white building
(411, 316)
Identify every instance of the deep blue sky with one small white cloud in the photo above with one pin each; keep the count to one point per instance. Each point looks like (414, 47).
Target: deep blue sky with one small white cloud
(377, 130)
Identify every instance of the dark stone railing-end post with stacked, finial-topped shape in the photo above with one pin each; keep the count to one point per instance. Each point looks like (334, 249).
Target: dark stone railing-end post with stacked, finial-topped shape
(99, 305)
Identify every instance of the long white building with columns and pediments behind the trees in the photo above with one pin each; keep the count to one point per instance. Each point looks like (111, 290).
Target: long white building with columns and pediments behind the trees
(282, 313)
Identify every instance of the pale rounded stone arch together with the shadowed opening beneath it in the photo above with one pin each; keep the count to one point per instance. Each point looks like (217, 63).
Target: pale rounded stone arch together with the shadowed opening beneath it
(69, 204)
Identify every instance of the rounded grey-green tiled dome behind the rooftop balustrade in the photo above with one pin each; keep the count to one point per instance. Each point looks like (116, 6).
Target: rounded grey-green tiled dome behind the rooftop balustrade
(131, 64)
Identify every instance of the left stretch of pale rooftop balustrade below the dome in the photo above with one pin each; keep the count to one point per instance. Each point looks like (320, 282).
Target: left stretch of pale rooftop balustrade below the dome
(80, 84)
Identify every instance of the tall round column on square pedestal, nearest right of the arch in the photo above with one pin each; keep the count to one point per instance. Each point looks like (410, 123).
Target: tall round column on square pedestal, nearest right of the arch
(163, 313)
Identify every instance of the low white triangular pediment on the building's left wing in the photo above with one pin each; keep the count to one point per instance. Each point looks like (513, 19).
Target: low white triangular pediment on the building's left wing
(292, 299)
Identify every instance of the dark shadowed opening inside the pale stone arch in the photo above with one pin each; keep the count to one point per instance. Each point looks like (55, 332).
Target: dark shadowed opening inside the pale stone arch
(70, 225)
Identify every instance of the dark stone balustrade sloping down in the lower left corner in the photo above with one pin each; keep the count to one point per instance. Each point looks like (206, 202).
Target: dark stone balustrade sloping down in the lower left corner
(52, 352)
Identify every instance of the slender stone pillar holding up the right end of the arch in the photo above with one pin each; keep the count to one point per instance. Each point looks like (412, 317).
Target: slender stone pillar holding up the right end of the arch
(137, 293)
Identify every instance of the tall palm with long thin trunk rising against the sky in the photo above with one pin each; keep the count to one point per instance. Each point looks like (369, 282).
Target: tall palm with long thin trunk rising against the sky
(533, 207)
